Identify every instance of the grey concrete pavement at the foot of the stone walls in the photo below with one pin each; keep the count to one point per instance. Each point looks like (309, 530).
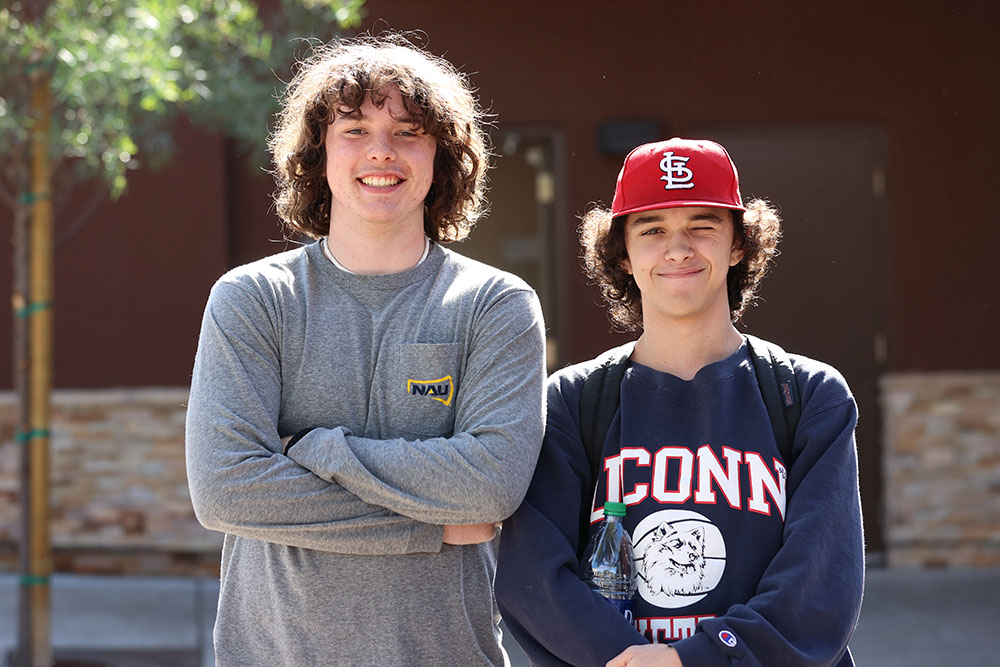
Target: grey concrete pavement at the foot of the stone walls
(909, 618)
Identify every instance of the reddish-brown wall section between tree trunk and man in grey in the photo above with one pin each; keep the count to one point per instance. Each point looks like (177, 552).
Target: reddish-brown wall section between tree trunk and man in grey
(130, 286)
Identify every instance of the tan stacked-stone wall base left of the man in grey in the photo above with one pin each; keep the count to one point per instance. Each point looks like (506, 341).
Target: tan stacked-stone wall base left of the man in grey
(120, 501)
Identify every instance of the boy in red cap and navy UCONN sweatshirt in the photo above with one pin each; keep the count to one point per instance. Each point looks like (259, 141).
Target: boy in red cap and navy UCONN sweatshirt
(741, 558)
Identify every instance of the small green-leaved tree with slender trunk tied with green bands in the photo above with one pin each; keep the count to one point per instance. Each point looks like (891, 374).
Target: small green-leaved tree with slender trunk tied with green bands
(88, 89)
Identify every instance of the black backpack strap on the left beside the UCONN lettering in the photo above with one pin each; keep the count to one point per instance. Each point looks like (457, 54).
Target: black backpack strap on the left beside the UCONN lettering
(598, 405)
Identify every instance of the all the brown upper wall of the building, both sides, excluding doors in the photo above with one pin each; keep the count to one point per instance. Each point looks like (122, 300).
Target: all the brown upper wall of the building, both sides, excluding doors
(131, 285)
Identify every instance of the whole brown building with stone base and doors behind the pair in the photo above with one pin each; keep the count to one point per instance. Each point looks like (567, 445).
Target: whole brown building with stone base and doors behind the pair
(872, 126)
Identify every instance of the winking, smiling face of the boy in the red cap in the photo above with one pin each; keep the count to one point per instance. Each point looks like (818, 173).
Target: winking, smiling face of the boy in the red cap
(679, 258)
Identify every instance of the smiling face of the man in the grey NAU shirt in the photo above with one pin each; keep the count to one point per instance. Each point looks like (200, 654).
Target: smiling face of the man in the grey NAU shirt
(379, 166)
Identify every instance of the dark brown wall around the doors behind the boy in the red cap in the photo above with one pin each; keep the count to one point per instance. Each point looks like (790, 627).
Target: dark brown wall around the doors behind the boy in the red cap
(926, 72)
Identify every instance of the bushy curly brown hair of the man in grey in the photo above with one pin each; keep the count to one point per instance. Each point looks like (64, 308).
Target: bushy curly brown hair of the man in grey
(337, 78)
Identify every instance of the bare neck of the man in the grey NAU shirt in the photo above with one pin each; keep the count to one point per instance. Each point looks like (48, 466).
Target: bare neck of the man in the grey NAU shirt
(376, 251)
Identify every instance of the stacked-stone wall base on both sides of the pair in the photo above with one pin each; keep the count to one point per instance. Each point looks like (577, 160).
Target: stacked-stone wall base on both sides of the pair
(121, 504)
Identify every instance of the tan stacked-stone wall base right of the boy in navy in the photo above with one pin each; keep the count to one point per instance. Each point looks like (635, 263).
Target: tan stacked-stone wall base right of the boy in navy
(942, 469)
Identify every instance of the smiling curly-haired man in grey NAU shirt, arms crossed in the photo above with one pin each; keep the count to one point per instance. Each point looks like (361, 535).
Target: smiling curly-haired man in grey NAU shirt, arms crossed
(367, 408)
